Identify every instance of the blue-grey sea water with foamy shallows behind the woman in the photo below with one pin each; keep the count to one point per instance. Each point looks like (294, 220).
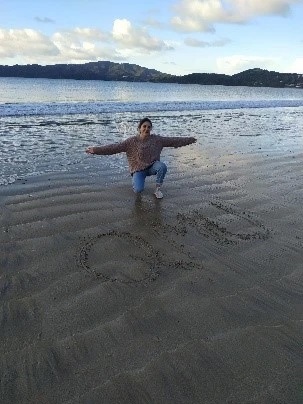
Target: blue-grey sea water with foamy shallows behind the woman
(46, 125)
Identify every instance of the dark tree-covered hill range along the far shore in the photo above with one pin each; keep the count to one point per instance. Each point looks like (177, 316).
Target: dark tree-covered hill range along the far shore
(110, 71)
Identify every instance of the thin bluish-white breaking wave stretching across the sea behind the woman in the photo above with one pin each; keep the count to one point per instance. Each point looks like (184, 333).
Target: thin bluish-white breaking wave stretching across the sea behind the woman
(44, 109)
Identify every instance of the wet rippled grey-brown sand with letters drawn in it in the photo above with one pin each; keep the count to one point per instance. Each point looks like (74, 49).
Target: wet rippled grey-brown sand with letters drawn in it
(196, 298)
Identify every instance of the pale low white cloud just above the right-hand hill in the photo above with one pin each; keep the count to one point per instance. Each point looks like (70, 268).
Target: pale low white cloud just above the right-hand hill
(238, 63)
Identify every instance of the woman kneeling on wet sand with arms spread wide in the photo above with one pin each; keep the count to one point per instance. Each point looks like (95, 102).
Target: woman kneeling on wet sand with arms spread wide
(143, 154)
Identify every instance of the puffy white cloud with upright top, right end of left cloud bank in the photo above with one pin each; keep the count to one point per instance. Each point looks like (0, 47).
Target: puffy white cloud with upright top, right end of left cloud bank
(129, 37)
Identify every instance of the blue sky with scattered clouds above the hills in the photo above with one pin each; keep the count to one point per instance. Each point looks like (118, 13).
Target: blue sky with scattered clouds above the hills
(173, 36)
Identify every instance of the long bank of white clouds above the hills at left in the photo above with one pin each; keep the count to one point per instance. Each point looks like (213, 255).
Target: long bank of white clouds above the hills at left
(79, 44)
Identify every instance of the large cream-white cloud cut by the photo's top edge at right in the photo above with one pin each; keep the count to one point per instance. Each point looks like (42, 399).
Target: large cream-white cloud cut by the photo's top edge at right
(202, 15)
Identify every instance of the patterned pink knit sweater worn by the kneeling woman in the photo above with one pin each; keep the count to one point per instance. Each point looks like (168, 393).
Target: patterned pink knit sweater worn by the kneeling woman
(142, 153)
